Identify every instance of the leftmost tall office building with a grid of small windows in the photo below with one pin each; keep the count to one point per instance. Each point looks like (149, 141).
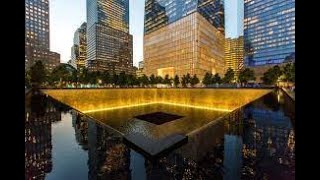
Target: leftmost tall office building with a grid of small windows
(37, 37)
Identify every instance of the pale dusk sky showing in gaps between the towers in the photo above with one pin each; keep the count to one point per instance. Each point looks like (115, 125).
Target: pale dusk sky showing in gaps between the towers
(67, 15)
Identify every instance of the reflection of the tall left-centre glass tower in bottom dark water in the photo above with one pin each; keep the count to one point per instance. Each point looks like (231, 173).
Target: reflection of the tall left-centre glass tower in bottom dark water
(108, 157)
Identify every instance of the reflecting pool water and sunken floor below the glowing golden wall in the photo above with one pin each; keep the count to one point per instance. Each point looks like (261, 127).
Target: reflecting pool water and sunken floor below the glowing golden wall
(256, 141)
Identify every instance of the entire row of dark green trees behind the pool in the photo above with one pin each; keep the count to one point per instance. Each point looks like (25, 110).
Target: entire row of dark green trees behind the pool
(65, 74)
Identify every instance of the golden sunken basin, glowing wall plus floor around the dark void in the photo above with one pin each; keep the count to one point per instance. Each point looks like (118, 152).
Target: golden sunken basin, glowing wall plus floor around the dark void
(118, 107)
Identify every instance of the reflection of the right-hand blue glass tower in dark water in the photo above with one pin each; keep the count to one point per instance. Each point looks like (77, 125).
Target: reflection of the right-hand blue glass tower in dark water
(269, 139)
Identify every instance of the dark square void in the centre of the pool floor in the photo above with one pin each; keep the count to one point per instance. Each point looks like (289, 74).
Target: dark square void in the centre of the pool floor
(158, 118)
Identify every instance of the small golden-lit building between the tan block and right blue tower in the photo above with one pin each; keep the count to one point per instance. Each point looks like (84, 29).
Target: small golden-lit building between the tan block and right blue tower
(234, 54)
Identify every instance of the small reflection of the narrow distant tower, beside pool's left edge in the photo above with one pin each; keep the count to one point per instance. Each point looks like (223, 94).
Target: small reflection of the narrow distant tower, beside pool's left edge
(80, 126)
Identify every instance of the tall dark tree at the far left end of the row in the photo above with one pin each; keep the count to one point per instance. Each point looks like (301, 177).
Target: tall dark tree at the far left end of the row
(37, 74)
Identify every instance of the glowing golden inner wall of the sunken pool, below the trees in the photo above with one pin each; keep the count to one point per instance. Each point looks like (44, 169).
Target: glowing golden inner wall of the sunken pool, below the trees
(86, 100)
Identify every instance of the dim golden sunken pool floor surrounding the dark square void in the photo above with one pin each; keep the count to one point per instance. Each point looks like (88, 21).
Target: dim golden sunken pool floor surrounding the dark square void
(123, 119)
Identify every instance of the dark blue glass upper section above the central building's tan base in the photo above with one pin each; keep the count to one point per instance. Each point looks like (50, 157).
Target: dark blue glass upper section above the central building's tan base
(159, 13)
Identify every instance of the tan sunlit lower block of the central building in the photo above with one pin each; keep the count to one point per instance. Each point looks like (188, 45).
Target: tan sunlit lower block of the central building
(189, 45)
